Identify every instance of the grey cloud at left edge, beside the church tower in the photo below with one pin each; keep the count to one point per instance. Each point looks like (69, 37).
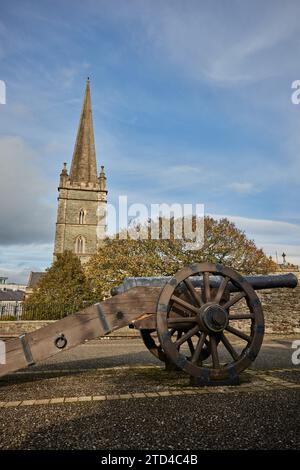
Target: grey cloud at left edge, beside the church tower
(26, 216)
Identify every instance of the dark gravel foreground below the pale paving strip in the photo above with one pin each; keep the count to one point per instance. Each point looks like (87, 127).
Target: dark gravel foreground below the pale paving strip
(215, 421)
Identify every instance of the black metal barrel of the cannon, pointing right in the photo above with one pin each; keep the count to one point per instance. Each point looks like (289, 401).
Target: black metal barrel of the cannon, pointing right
(257, 282)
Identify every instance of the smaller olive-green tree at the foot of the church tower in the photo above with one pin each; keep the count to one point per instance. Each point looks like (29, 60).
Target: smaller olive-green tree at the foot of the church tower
(62, 290)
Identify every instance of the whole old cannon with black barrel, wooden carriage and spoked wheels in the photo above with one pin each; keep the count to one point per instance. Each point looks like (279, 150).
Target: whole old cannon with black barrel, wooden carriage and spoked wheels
(206, 320)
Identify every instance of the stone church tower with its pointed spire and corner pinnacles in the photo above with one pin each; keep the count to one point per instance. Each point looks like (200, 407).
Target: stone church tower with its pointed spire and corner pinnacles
(82, 195)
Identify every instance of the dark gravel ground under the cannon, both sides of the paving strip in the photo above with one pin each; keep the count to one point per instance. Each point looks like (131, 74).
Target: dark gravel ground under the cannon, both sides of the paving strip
(266, 416)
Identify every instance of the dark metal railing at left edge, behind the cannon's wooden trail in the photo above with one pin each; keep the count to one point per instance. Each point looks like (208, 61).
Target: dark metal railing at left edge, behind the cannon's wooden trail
(19, 311)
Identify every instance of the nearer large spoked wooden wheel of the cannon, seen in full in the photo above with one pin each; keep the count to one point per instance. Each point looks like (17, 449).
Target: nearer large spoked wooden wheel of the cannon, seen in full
(206, 317)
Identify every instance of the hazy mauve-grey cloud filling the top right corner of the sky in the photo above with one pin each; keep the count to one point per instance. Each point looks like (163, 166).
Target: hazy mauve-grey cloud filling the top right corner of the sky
(209, 41)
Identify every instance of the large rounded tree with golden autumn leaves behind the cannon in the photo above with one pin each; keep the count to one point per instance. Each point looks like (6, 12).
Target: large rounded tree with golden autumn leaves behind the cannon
(224, 243)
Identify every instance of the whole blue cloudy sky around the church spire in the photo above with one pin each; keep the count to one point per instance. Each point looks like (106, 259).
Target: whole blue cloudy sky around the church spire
(191, 104)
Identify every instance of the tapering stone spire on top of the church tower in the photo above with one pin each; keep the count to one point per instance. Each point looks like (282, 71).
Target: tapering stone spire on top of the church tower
(84, 166)
